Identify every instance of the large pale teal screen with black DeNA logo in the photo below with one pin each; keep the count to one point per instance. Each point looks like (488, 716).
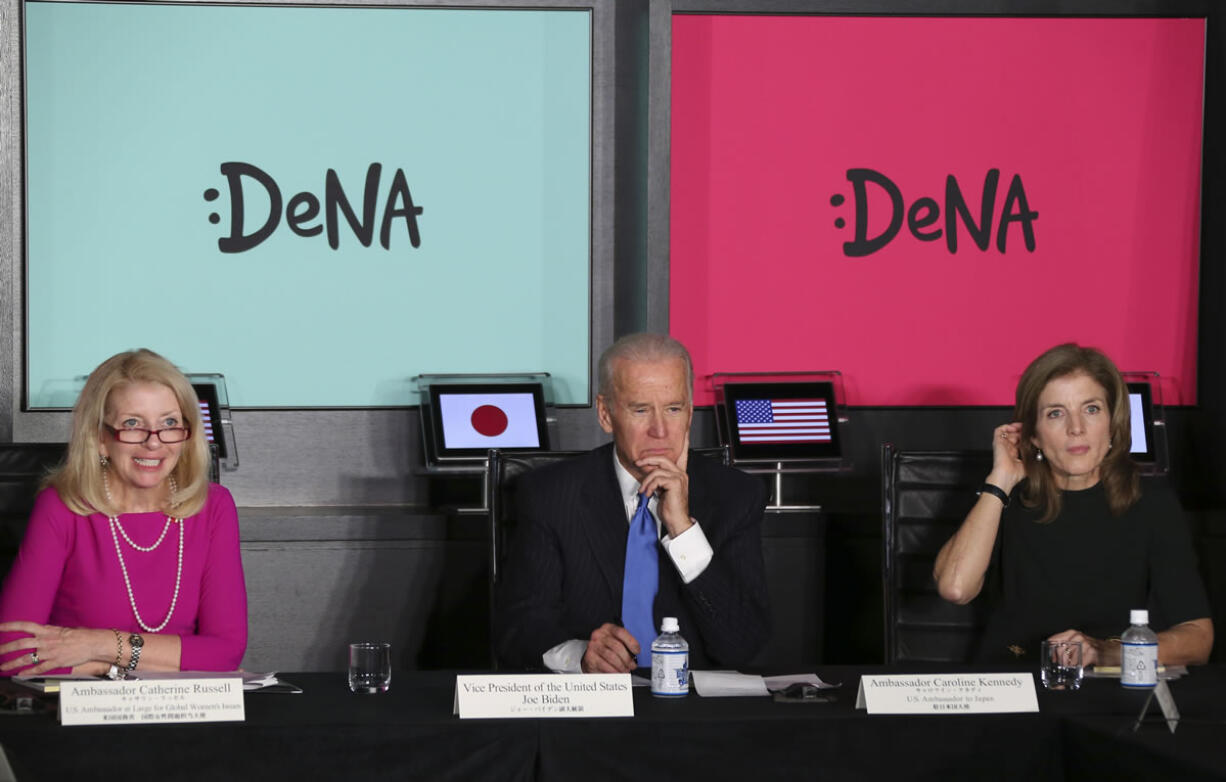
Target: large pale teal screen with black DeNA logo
(318, 203)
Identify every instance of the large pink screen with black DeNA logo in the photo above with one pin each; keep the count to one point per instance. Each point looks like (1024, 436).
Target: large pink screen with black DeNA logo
(927, 204)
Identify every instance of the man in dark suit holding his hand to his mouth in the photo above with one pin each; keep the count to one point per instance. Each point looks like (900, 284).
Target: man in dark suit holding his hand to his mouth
(561, 600)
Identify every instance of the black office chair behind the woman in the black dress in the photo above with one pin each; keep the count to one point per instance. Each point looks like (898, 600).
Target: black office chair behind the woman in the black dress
(925, 497)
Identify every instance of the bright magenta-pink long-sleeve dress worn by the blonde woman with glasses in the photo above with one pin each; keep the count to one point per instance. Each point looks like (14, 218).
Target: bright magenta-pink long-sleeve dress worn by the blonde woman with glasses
(68, 574)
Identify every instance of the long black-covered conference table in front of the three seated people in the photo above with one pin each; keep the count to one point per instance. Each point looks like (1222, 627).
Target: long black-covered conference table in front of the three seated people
(410, 734)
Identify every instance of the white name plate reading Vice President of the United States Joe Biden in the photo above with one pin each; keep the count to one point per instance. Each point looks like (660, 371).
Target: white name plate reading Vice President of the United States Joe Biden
(545, 696)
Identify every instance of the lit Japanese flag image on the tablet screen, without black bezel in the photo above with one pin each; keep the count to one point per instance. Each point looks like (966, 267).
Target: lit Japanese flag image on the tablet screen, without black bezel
(479, 421)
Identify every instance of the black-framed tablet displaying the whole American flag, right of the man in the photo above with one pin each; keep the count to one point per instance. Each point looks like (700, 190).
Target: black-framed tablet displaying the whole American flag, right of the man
(775, 422)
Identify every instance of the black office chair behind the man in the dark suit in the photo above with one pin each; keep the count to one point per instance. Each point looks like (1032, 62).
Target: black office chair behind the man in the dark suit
(503, 473)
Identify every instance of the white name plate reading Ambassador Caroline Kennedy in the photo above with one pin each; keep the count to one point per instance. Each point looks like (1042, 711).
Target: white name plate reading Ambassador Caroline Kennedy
(948, 694)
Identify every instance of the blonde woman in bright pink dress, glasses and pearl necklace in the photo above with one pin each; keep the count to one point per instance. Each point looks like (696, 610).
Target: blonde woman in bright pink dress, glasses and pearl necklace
(132, 558)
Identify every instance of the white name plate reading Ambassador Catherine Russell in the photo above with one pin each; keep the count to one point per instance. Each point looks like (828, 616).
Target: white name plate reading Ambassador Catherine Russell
(145, 703)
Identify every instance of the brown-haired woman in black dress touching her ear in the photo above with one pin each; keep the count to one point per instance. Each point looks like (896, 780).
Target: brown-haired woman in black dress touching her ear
(1066, 537)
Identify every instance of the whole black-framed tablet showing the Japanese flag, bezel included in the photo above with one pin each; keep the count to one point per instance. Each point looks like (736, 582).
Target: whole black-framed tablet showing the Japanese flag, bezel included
(468, 420)
